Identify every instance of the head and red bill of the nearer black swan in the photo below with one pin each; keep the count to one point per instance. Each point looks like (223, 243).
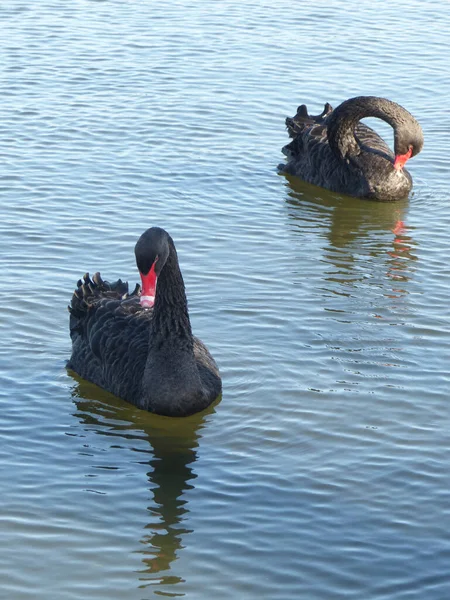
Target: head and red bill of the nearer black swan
(151, 251)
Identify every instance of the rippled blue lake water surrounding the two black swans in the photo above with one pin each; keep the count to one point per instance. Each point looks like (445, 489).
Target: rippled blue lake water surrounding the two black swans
(323, 472)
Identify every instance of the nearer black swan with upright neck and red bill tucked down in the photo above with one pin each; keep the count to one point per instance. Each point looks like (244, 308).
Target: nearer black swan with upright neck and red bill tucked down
(140, 346)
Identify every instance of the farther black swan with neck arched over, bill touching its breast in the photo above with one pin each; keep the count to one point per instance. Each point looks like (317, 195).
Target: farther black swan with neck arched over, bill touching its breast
(335, 151)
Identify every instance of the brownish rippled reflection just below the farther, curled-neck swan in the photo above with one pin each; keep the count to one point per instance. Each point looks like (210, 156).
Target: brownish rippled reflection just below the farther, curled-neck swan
(359, 233)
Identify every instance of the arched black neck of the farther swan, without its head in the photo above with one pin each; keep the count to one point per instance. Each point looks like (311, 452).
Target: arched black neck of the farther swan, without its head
(343, 120)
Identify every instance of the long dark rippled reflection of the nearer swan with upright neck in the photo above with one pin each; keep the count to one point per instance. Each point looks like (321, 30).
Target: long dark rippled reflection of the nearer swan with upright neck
(172, 446)
